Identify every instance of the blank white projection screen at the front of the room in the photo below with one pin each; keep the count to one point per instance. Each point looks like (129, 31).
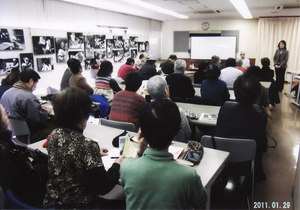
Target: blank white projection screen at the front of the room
(204, 47)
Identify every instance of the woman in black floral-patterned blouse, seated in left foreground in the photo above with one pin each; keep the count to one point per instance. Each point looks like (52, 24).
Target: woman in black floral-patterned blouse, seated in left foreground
(75, 167)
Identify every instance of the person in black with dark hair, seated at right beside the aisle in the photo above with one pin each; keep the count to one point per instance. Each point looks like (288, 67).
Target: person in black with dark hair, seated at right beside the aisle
(242, 120)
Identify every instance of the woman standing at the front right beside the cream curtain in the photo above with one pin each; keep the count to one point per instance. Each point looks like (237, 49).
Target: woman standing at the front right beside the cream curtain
(280, 63)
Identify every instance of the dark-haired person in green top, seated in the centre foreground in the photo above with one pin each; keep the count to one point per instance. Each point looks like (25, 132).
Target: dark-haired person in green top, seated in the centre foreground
(155, 180)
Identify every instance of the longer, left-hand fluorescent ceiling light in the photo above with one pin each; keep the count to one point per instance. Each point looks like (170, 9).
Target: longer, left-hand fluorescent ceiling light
(156, 8)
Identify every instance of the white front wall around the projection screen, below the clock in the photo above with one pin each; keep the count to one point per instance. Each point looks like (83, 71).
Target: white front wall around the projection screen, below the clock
(247, 37)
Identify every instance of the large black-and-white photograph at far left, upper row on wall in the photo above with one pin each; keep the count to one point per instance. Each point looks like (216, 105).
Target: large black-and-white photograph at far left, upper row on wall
(11, 39)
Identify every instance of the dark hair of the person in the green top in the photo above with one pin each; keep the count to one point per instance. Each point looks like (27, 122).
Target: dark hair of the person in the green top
(160, 121)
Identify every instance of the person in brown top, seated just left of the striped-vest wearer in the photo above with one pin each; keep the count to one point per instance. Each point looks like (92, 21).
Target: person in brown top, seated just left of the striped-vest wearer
(77, 80)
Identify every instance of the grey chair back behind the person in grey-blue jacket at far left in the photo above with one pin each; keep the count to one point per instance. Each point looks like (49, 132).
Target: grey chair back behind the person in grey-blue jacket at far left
(19, 128)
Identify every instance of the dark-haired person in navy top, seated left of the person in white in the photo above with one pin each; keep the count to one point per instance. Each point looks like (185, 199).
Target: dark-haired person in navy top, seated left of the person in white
(213, 89)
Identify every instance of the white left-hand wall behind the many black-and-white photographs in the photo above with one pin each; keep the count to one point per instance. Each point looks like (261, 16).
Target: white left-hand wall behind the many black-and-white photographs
(56, 18)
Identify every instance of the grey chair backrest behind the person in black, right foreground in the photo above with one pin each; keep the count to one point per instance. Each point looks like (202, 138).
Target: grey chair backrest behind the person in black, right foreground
(240, 149)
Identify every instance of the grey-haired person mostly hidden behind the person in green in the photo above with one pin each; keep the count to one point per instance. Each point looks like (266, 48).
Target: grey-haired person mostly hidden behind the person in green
(157, 88)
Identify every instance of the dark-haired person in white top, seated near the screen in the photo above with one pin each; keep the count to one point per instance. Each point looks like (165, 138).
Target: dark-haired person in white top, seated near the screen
(230, 73)
